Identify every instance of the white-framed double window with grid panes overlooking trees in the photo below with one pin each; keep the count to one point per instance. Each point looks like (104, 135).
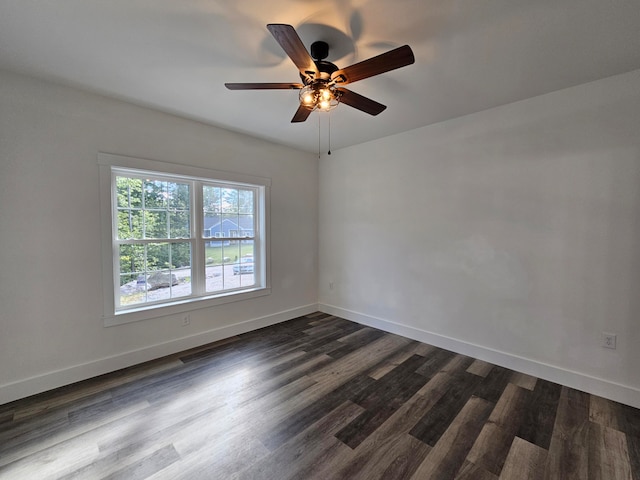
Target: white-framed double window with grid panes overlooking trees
(177, 237)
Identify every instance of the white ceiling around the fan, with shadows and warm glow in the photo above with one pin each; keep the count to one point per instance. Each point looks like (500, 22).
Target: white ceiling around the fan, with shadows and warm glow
(175, 55)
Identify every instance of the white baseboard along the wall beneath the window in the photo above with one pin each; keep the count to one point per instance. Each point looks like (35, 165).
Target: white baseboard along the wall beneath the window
(48, 381)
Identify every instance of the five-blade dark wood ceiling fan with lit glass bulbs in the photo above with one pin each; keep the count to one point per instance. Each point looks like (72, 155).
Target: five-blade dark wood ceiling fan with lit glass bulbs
(322, 86)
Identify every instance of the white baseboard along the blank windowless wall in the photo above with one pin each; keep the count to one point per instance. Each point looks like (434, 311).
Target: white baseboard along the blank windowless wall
(580, 381)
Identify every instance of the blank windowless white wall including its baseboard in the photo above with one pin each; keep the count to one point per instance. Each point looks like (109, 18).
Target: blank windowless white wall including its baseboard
(512, 235)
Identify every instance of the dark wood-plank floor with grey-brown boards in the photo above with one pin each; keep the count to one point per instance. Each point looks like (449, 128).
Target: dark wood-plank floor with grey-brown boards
(318, 397)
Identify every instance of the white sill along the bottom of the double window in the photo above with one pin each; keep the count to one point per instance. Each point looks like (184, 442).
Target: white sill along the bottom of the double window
(180, 306)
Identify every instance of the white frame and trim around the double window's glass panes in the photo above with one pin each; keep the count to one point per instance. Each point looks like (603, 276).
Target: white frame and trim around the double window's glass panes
(111, 164)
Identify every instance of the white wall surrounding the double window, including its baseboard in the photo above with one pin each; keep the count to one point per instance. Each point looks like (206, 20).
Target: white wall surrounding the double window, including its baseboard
(51, 331)
